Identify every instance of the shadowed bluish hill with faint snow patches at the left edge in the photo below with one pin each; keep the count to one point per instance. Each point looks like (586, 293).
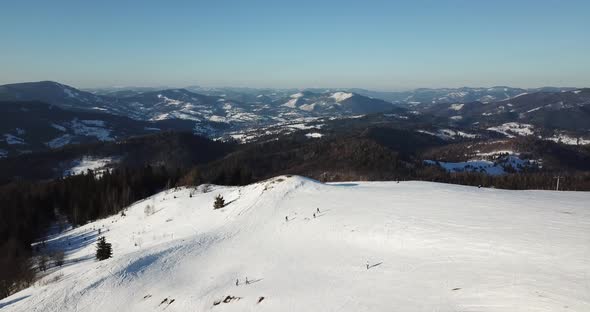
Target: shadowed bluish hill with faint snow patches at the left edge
(30, 126)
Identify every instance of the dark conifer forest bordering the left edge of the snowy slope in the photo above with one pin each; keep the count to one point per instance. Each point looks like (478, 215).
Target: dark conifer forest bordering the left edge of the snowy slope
(28, 208)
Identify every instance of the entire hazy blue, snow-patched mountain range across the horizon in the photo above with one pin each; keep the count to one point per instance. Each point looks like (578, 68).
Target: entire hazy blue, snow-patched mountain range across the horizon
(44, 115)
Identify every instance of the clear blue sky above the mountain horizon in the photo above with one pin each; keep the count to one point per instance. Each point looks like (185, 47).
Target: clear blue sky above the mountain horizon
(384, 45)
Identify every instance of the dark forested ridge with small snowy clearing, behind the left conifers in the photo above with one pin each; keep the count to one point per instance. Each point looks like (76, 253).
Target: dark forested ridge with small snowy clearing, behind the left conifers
(172, 150)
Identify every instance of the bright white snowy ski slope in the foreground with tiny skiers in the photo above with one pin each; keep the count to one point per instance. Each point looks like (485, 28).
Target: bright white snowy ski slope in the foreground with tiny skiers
(429, 247)
